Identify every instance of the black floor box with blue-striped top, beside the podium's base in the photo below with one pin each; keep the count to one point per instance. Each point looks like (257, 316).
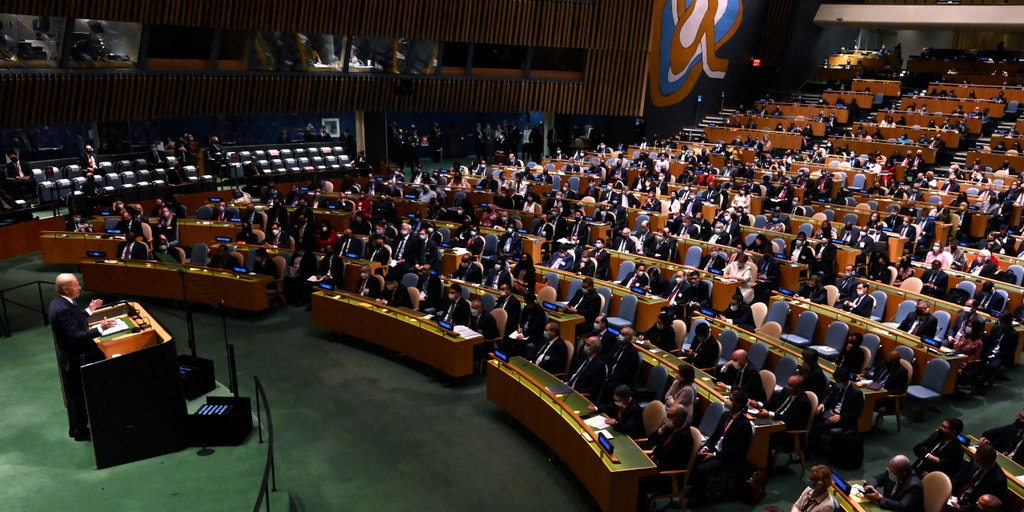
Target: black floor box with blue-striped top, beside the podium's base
(225, 421)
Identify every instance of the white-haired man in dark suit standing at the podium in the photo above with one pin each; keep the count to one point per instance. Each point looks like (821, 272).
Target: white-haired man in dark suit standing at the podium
(75, 348)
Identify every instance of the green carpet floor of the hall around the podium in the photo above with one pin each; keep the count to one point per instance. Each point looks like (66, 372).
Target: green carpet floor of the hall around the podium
(358, 429)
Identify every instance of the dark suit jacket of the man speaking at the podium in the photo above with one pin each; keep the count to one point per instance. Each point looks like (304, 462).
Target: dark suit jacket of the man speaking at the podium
(73, 336)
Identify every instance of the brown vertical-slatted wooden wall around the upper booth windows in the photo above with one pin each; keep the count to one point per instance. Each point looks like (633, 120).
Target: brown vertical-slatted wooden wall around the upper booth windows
(615, 34)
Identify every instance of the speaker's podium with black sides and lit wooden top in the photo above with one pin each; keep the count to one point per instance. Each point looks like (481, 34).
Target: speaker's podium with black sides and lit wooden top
(135, 398)
